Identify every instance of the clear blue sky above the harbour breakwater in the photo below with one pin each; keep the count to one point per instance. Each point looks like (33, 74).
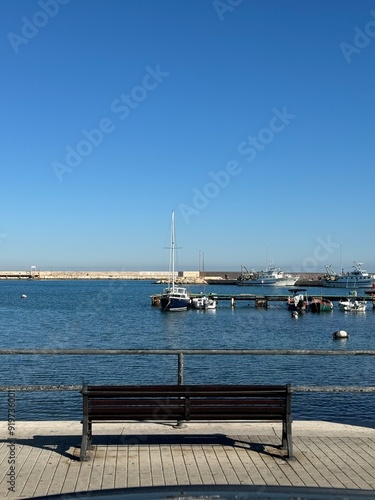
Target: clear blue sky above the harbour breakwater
(252, 120)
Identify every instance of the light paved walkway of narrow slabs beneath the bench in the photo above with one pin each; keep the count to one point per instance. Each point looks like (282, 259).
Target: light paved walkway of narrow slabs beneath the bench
(46, 455)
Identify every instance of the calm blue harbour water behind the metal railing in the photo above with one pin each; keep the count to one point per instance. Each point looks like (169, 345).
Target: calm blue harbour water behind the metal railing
(118, 314)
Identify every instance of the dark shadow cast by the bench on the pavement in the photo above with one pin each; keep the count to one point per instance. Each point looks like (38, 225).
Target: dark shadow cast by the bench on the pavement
(69, 446)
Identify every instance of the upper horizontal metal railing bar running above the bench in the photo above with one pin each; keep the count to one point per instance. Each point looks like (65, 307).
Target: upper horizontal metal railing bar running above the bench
(253, 352)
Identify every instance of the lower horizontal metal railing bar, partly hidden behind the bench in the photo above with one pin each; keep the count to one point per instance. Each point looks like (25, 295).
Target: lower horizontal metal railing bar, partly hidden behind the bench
(296, 388)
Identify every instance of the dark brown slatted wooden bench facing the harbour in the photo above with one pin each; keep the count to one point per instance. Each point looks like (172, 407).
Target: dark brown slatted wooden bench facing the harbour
(185, 403)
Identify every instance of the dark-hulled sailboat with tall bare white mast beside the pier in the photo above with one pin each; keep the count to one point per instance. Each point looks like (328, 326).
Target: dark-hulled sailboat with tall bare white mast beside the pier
(174, 298)
